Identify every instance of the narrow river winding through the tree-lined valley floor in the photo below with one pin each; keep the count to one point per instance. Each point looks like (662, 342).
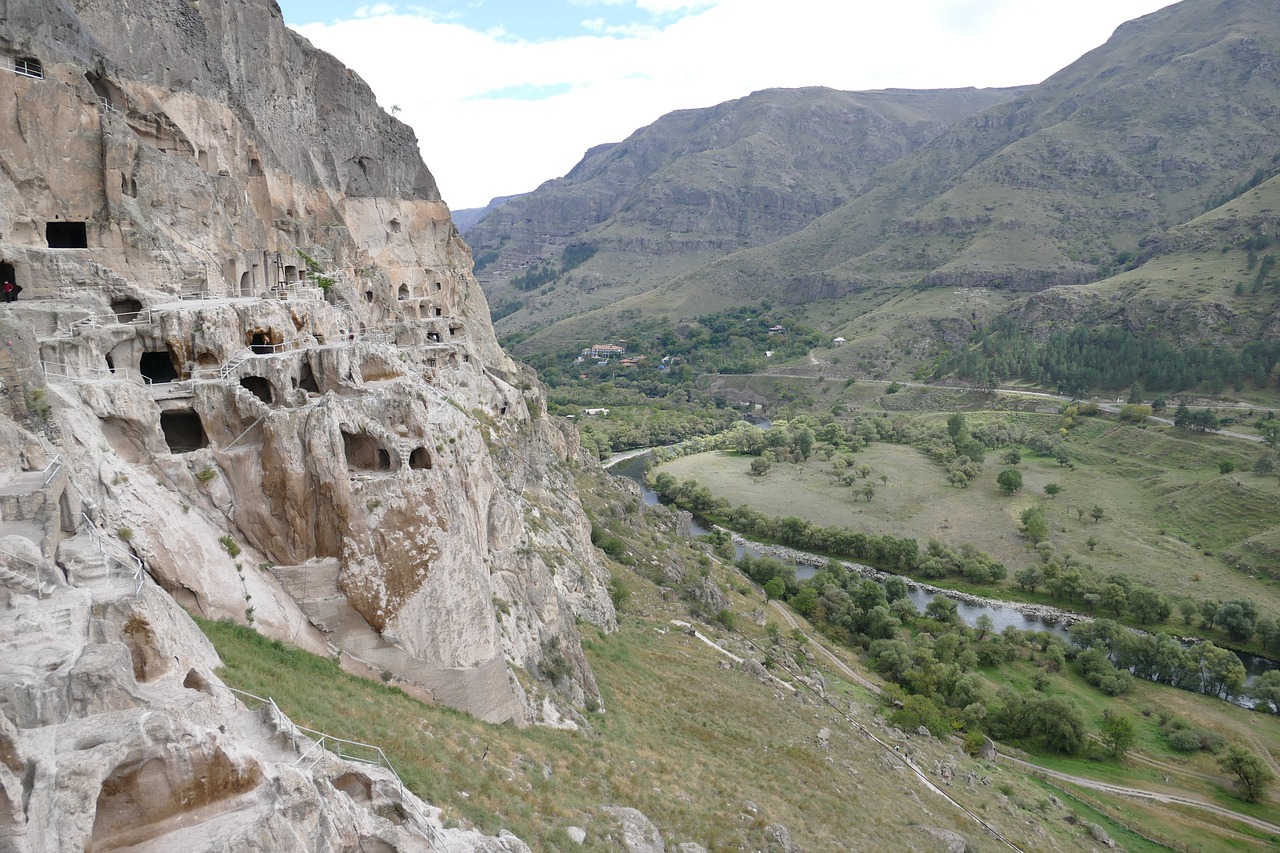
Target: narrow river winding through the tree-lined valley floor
(1028, 618)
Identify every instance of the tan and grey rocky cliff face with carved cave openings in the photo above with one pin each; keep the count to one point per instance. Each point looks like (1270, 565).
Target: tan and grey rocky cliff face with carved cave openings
(250, 353)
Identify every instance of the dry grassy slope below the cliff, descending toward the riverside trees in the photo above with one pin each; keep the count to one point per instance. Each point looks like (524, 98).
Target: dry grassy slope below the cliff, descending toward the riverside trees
(692, 745)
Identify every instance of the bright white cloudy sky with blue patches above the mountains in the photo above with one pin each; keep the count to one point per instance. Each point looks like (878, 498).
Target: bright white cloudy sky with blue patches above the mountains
(508, 101)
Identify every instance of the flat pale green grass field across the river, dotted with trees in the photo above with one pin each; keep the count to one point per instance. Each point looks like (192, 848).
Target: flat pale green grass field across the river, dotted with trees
(1168, 510)
